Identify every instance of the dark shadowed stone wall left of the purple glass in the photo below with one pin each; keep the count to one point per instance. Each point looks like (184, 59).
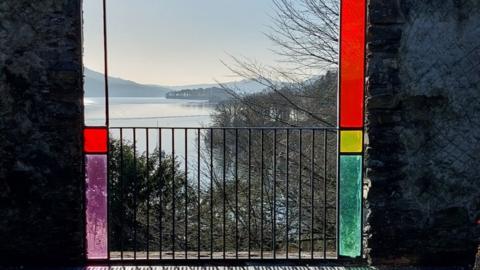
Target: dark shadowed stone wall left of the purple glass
(41, 118)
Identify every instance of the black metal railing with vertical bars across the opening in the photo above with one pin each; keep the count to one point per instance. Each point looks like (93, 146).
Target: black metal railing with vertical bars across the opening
(222, 193)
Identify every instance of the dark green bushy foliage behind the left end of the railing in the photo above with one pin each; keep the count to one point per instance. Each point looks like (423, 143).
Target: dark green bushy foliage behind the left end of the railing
(143, 190)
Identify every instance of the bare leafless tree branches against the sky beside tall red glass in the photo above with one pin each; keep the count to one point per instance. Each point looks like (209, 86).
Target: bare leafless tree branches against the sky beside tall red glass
(306, 35)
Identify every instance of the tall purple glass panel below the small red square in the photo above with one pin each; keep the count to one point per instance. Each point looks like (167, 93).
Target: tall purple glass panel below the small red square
(96, 208)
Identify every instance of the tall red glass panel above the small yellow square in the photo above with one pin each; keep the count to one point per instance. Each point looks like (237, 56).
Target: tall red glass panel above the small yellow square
(352, 63)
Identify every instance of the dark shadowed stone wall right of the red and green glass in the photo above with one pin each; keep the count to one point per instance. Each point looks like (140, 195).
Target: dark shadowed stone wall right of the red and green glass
(423, 99)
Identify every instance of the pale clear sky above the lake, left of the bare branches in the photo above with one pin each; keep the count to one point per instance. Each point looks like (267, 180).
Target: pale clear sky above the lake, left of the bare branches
(177, 42)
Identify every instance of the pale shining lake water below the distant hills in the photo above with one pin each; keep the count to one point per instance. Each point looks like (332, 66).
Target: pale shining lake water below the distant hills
(156, 113)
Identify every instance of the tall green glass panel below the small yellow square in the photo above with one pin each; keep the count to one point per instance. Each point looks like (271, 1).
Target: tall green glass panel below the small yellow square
(350, 205)
